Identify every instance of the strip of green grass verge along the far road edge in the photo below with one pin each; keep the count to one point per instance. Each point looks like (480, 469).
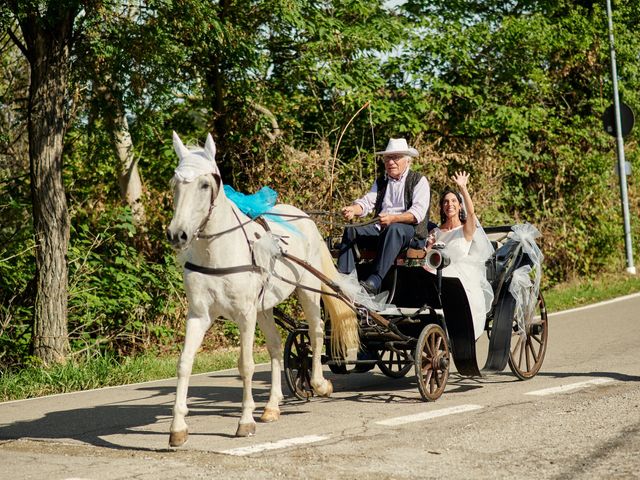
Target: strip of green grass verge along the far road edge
(100, 372)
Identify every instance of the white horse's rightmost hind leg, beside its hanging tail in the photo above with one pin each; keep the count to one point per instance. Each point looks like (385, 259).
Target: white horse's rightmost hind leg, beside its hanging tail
(311, 305)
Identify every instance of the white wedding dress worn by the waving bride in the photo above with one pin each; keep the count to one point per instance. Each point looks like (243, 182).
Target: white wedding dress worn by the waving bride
(468, 264)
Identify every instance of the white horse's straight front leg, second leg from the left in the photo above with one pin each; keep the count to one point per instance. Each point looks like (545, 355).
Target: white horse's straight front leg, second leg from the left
(246, 367)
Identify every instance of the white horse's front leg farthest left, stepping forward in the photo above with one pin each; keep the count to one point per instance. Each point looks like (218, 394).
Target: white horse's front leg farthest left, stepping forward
(196, 328)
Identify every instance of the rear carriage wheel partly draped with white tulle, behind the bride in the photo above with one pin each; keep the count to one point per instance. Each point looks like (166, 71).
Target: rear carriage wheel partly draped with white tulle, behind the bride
(527, 352)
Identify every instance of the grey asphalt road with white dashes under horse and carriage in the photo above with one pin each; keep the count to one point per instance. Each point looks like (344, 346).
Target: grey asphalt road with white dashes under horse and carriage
(578, 418)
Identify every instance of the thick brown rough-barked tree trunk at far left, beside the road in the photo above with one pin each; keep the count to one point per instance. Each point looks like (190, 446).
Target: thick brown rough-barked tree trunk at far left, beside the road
(48, 51)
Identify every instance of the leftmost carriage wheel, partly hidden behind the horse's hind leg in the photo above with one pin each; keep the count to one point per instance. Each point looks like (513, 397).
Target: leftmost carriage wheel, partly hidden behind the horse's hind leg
(297, 364)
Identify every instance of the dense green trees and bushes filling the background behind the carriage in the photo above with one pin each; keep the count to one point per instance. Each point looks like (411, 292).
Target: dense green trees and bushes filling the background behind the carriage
(511, 91)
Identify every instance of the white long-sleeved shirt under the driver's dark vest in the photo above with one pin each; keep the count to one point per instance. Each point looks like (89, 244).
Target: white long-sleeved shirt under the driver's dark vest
(393, 201)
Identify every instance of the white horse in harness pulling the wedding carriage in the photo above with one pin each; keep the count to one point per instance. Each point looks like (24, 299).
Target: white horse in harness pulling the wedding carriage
(211, 232)
